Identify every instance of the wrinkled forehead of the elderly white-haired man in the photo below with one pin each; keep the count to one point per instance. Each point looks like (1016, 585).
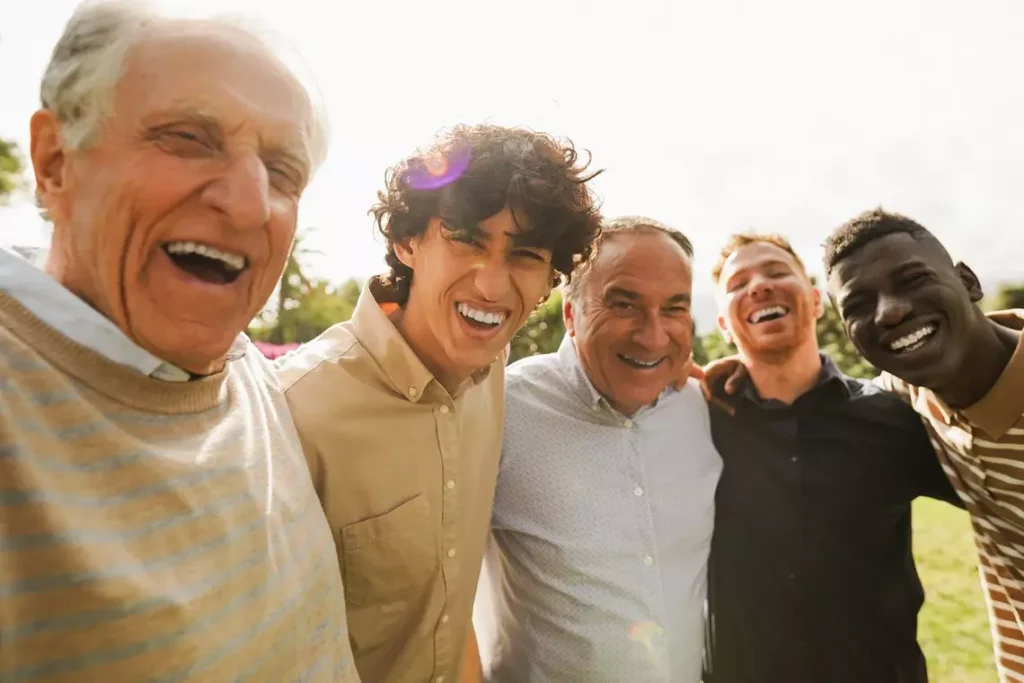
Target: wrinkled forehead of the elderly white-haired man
(220, 71)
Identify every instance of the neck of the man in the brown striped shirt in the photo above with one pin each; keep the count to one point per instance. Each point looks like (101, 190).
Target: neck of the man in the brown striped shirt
(992, 348)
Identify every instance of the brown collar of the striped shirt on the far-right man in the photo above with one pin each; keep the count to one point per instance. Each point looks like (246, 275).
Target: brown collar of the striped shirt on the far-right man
(1003, 407)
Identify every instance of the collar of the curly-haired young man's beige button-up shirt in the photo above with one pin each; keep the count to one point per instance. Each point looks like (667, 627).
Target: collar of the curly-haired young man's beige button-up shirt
(390, 350)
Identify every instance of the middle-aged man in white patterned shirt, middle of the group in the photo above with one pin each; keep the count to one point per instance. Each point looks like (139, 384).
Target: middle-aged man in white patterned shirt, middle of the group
(603, 519)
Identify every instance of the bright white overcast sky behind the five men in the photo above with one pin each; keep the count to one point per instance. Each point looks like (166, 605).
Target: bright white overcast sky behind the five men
(789, 116)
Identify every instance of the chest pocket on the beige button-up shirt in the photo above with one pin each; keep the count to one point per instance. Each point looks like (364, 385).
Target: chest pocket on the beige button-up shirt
(391, 558)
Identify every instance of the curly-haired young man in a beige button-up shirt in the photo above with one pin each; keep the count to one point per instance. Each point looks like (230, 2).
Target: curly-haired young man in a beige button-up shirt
(401, 409)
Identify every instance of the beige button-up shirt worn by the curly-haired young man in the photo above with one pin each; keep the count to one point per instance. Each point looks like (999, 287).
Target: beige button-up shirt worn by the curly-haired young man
(406, 474)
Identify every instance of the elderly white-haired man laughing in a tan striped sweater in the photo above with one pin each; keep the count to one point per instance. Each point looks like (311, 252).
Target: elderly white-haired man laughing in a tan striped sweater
(157, 518)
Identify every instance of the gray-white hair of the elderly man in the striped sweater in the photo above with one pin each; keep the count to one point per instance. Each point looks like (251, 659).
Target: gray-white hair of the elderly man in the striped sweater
(89, 61)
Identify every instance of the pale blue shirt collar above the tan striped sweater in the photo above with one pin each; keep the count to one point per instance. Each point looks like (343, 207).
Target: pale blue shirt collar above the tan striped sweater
(59, 308)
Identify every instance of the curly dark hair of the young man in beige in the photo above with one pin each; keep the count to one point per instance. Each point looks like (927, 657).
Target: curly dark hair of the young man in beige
(474, 173)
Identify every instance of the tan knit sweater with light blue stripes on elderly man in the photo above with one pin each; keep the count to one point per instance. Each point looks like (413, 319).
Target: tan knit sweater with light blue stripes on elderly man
(156, 531)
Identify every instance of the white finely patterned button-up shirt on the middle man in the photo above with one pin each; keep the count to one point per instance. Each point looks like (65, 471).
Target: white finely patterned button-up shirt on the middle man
(602, 531)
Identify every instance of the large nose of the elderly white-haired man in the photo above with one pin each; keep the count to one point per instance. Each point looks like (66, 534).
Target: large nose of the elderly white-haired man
(243, 193)
